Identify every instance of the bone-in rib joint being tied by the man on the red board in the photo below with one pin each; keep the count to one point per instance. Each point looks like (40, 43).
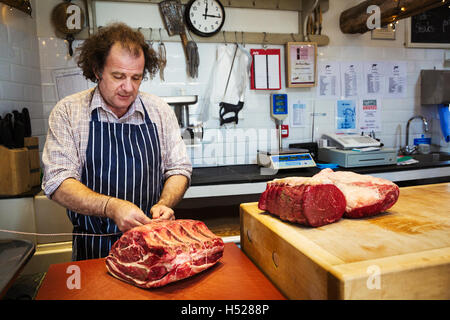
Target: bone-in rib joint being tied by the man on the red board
(164, 251)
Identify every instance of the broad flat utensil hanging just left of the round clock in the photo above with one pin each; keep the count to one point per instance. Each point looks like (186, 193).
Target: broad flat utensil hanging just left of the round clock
(172, 13)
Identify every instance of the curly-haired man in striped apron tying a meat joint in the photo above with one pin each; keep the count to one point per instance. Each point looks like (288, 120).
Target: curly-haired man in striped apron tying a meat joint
(114, 156)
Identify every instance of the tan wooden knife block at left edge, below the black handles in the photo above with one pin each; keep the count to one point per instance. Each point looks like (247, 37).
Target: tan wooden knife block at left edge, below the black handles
(14, 171)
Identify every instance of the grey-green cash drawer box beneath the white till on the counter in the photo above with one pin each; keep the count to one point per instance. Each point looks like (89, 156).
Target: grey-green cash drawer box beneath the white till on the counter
(349, 158)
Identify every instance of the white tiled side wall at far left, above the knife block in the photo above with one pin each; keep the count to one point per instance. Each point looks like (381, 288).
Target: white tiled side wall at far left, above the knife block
(20, 78)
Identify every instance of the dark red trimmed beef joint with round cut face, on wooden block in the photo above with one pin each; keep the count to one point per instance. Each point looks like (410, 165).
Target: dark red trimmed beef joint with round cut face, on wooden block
(310, 201)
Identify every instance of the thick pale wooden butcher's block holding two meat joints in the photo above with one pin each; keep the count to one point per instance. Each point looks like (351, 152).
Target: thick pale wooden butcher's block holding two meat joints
(403, 253)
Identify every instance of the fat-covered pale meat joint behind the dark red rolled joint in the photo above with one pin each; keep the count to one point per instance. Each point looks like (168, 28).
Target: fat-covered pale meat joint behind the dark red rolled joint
(365, 195)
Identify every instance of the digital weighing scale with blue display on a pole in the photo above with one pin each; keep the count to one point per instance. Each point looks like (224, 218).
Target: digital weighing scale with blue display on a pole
(283, 158)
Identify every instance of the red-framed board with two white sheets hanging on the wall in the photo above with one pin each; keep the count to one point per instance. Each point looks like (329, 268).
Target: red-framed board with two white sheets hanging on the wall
(265, 69)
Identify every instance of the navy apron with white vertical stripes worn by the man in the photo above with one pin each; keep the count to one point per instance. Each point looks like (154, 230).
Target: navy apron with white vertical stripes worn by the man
(122, 161)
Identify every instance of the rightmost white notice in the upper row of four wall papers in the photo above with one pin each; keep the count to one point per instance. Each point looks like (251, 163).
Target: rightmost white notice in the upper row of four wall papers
(395, 80)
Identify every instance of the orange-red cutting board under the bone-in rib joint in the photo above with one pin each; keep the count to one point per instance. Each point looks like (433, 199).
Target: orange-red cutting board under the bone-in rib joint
(234, 277)
